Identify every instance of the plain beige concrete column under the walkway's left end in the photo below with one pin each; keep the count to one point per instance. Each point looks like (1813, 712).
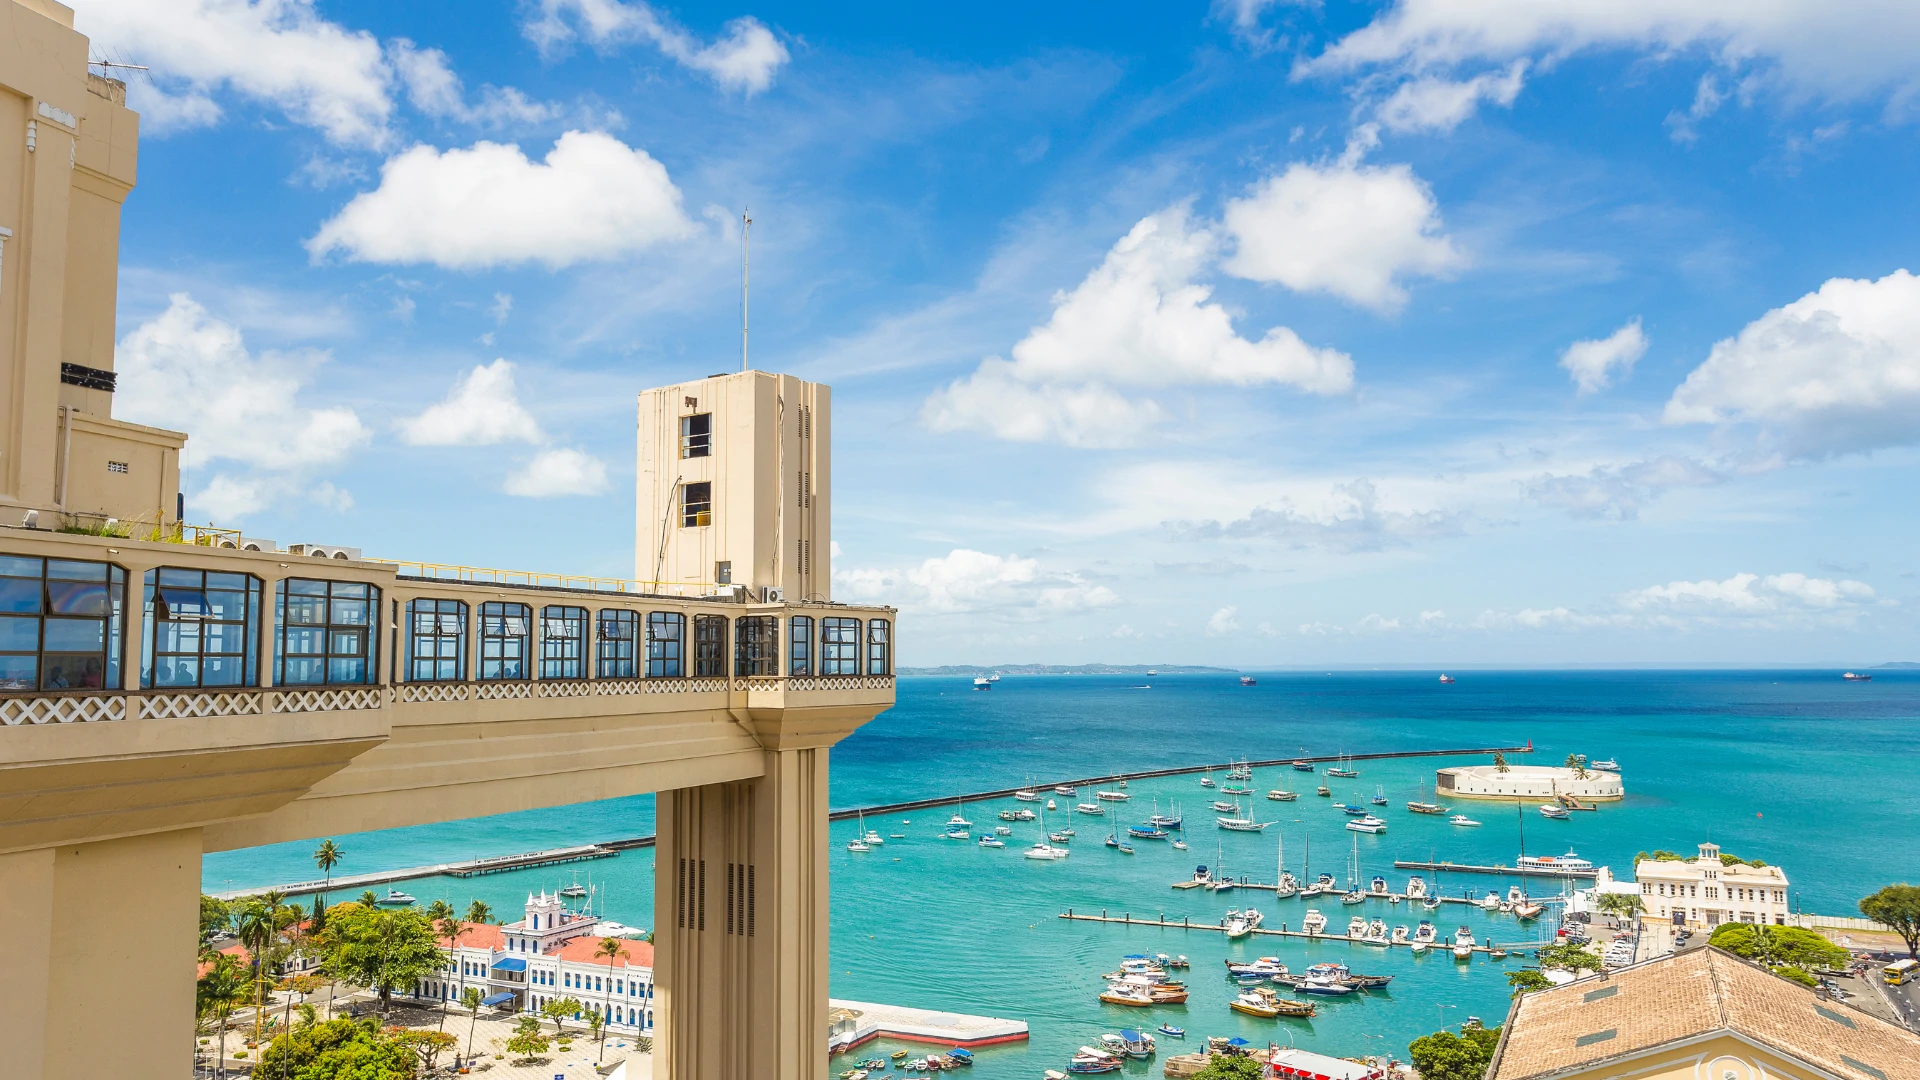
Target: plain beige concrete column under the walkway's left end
(91, 994)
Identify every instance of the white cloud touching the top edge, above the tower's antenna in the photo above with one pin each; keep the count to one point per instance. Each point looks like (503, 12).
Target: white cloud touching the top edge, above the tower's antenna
(746, 59)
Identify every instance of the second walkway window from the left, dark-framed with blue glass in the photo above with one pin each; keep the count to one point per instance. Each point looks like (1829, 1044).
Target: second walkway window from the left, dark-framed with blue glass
(203, 629)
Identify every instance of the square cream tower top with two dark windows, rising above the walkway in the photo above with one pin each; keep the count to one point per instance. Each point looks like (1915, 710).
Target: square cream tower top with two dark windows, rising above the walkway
(734, 487)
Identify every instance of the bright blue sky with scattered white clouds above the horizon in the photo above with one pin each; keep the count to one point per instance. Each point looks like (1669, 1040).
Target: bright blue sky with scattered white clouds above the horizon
(1260, 333)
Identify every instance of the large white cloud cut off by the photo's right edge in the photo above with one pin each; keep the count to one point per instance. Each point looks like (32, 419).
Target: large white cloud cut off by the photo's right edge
(1836, 370)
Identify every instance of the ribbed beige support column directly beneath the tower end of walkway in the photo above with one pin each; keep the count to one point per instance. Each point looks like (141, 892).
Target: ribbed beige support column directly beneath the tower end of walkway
(742, 925)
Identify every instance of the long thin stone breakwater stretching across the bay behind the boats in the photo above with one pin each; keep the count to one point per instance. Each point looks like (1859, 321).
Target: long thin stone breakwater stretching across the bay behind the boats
(610, 848)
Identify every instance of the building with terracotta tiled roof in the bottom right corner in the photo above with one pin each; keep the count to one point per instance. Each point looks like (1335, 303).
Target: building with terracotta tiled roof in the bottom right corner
(1694, 1016)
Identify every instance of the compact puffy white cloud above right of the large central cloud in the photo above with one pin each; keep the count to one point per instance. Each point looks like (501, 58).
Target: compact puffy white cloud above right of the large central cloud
(1341, 228)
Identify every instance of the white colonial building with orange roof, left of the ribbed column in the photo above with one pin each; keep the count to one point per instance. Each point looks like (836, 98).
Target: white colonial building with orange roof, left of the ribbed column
(548, 956)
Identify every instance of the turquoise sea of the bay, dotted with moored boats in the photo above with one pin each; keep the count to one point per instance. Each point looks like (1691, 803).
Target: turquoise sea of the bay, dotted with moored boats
(1794, 768)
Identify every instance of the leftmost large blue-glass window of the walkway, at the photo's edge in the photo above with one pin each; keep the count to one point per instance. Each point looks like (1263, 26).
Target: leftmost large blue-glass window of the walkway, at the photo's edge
(60, 624)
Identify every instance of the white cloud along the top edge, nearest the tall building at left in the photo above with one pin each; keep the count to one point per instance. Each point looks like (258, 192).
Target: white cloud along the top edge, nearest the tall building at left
(277, 53)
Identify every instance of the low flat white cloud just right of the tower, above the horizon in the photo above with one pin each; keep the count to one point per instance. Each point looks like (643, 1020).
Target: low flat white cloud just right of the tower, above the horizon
(965, 581)
